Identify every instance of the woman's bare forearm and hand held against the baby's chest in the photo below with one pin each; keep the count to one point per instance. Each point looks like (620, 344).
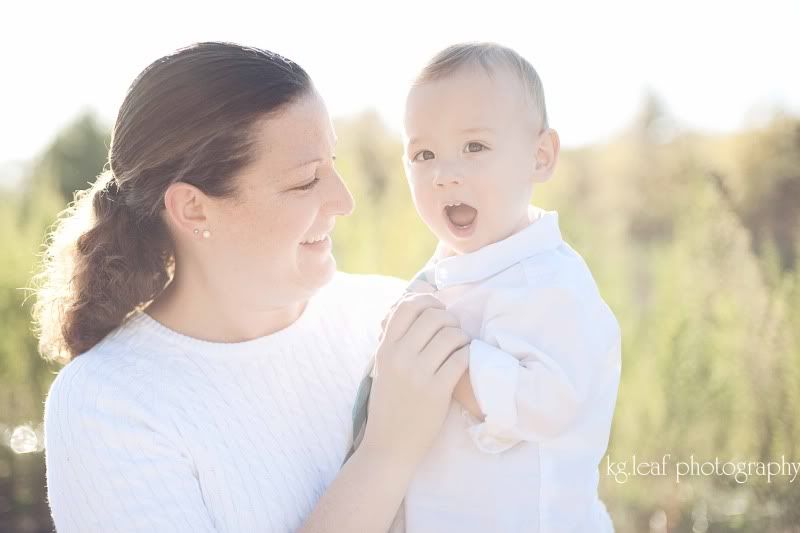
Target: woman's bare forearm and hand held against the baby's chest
(421, 356)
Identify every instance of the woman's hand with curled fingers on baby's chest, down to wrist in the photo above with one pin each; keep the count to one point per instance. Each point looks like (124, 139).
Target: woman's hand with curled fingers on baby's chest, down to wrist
(422, 355)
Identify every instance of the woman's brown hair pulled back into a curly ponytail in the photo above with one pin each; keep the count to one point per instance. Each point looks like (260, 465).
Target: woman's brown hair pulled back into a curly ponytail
(189, 117)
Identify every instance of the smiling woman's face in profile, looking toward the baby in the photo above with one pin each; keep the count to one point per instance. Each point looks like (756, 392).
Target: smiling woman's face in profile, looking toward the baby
(273, 238)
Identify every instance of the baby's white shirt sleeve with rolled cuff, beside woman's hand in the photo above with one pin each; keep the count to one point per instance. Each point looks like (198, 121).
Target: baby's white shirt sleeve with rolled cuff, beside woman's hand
(536, 363)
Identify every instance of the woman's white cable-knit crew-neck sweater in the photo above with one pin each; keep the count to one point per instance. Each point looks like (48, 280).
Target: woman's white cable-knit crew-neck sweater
(154, 431)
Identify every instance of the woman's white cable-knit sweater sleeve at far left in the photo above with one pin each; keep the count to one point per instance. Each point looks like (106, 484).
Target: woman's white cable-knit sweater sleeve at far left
(113, 464)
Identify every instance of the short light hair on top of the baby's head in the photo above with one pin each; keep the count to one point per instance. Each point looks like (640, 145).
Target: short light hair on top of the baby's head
(488, 56)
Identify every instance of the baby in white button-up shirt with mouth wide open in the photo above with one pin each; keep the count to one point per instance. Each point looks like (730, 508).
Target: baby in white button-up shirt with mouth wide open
(520, 447)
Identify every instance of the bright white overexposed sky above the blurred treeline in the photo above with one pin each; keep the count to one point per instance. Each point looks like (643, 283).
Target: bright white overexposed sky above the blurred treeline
(717, 65)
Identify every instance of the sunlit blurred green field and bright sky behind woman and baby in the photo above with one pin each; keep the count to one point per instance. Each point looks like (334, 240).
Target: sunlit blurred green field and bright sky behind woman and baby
(679, 183)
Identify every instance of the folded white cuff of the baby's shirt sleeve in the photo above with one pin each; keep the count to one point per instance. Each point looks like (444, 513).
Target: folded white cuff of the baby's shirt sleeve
(494, 375)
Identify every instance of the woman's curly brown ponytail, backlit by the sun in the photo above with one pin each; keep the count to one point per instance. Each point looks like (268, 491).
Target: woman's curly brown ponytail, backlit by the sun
(102, 263)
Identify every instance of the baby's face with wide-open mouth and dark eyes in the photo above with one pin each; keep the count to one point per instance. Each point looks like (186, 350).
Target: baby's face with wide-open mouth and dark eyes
(470, 153)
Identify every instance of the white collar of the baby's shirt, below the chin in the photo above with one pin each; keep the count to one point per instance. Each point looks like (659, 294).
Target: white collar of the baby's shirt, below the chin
(541, 235)
